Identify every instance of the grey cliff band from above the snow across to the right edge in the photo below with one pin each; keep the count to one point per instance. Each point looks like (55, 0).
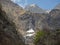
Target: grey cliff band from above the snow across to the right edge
(39, 21)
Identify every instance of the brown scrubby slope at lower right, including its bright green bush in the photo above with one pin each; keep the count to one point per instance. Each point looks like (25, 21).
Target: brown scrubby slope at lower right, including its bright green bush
(47, 37)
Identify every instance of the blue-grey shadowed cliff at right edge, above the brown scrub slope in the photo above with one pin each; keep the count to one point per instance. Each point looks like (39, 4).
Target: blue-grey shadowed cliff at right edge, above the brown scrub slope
(54, 19)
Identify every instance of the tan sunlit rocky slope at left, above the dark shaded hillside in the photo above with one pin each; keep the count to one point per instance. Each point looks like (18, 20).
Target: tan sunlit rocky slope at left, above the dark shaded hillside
(12, 10)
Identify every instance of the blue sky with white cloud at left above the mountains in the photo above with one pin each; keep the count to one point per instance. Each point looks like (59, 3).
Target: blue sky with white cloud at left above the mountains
(44, 4)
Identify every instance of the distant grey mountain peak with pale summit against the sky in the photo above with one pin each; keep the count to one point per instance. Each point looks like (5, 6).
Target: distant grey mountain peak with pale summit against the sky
(34, 9)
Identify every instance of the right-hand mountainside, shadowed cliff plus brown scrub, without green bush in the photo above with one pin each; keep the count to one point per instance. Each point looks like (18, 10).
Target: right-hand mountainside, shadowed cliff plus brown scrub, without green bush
(52, 31)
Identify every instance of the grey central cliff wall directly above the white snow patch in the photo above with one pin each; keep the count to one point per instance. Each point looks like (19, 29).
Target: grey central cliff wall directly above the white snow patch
(32, 20)
